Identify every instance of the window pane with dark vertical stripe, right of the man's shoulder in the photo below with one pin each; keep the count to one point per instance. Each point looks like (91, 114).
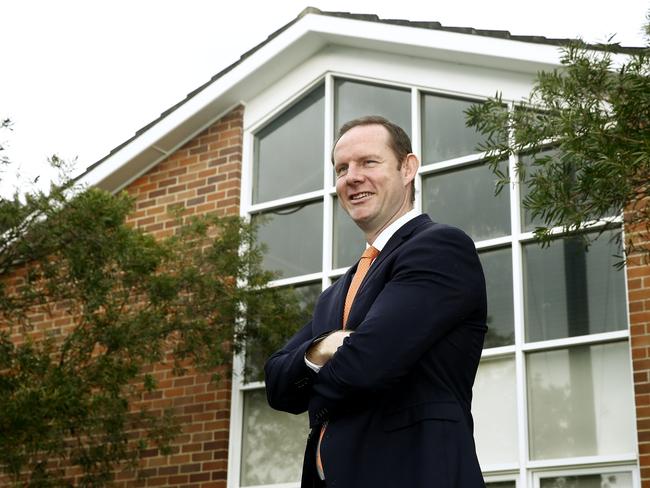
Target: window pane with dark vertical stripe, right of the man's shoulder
(571, 292)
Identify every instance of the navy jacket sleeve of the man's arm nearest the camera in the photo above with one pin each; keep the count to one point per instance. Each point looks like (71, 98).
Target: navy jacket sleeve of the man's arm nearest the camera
(437, 281)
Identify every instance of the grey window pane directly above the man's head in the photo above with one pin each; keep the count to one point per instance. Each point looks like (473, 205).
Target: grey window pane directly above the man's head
(354, 99)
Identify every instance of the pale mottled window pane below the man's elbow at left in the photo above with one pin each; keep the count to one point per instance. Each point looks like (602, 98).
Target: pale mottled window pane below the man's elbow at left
(273, 442)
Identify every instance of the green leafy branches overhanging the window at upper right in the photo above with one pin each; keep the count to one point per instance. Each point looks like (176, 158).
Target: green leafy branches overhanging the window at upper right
(594, 113)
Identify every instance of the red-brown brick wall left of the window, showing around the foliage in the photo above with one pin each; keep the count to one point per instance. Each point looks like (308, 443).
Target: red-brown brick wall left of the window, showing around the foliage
(201, 177)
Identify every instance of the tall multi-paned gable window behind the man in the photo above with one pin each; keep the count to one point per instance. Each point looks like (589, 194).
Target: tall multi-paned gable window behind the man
(553, 402)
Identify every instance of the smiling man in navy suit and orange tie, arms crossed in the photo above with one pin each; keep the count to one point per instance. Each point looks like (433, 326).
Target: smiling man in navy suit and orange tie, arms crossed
(387, 379)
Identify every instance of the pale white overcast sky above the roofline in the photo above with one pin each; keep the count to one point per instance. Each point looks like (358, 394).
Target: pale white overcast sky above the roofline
(79, 77)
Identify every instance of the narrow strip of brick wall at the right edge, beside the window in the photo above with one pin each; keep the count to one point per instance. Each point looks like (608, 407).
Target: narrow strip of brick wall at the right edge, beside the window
(638, 283)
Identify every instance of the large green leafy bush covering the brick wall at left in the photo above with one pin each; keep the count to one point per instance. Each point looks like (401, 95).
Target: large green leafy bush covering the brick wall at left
(123, 301)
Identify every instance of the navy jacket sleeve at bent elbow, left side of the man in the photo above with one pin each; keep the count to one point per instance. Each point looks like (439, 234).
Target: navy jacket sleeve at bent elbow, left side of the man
(288, 379)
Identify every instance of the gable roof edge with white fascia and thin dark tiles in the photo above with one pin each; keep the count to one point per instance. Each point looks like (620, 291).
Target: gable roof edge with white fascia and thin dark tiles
(306, 34)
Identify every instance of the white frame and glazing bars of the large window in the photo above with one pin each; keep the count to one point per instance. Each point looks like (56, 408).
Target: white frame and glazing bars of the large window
(524, 472)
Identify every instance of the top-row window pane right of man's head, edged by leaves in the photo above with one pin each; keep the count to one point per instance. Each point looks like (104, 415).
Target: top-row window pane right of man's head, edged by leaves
(444, 134)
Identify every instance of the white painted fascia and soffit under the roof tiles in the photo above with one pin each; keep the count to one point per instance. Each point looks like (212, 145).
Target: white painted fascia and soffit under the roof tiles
(289, 49)
